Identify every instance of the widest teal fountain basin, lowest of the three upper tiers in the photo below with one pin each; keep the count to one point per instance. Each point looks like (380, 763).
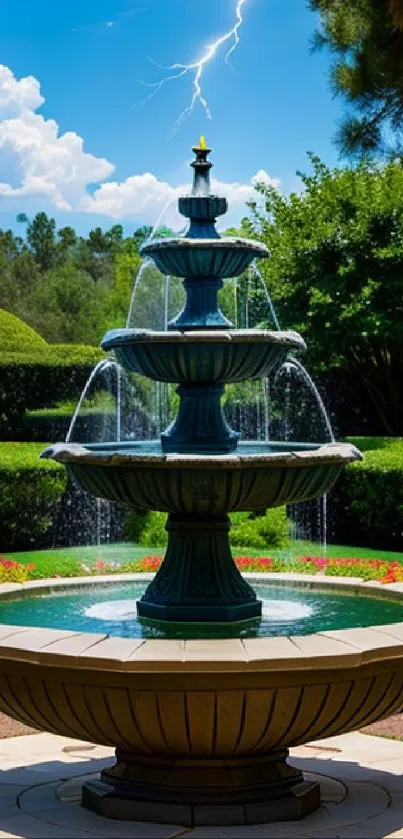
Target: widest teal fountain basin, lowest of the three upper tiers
(256, 476)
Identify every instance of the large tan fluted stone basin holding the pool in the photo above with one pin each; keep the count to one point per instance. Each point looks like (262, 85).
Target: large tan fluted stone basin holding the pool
(201, 699)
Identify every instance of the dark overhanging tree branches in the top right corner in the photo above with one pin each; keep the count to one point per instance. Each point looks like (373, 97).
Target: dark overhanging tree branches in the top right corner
(366, 37)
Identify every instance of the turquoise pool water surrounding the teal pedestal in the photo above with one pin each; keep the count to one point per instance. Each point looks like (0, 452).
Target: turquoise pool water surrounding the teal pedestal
(111, 609)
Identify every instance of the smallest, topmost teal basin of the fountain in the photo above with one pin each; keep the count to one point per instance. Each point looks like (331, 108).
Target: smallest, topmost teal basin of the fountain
(199, 258)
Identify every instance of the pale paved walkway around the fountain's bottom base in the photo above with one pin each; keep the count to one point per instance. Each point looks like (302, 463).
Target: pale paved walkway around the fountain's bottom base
(41, 776)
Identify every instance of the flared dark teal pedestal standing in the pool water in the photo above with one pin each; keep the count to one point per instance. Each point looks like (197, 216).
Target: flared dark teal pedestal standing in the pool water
(198, 579)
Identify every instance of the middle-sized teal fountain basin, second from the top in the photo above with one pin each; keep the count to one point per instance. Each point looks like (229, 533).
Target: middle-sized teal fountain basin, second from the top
(201, 357)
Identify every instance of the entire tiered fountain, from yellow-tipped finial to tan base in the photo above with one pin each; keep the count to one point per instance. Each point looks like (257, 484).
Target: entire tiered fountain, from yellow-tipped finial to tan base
(201, 726)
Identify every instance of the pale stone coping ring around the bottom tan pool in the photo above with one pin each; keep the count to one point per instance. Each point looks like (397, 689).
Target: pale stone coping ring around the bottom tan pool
(335, 649)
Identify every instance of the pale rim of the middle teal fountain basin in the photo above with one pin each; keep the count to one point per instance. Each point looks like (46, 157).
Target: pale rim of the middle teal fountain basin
(119, 337)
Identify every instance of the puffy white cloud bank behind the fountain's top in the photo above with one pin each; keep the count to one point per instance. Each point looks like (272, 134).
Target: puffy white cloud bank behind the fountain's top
(40, 163)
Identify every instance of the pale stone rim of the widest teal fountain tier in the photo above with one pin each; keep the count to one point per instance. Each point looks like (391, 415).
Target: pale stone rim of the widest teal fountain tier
(329, 453)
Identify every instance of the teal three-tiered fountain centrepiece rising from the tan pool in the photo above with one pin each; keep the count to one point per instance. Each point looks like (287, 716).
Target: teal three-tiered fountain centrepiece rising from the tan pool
(200, 471)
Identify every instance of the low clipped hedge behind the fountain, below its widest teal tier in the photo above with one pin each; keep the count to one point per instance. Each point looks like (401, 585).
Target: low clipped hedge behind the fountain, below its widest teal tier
(39, 509)
